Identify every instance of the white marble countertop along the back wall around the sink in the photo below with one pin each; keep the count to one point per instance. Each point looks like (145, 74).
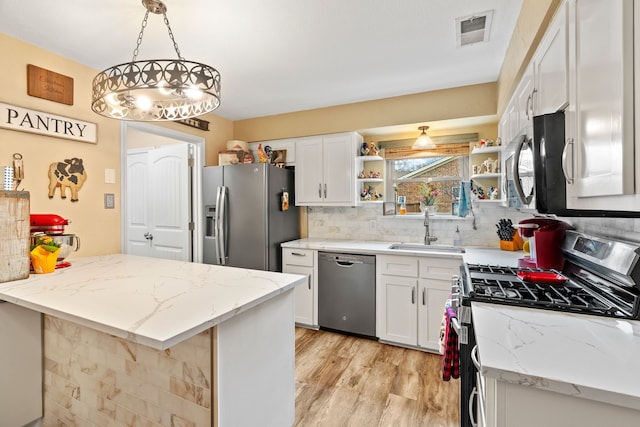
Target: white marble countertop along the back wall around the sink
(479, 255)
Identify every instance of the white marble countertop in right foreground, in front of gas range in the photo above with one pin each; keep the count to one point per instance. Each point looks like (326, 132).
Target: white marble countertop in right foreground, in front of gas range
(592, 357)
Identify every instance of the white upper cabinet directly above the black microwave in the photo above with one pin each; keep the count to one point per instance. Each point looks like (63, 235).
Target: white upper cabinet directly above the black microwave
(551, 67)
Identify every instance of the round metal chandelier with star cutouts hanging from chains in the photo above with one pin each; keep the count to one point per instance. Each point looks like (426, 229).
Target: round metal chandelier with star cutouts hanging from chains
(156, 89)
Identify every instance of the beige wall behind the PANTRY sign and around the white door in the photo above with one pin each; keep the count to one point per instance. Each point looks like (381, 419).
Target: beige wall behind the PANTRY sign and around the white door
(98, 228)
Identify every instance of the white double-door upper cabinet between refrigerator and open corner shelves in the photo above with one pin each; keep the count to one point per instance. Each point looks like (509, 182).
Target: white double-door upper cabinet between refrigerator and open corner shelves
(325, 170)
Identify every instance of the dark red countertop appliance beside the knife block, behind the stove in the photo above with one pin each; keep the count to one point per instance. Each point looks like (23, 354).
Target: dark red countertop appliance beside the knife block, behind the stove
(545, 236)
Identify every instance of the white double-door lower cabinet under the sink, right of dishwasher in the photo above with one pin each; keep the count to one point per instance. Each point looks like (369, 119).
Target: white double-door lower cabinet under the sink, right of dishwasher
(411, 294)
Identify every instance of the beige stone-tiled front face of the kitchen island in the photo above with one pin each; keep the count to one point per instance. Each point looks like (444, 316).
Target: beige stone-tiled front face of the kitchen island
(92, 378)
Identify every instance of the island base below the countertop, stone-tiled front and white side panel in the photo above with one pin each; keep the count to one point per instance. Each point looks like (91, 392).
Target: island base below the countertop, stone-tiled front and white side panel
(238, 373)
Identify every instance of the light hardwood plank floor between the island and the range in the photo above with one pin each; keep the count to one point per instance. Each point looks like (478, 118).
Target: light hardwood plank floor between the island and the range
(348, 381)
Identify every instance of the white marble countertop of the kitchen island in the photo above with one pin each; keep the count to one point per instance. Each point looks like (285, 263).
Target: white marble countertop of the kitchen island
(151, 301)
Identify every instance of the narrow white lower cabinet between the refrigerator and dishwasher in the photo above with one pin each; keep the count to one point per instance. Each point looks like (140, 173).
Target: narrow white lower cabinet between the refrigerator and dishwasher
(303, 261)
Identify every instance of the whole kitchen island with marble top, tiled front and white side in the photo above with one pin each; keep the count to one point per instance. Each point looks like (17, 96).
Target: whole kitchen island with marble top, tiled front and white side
(145, 341)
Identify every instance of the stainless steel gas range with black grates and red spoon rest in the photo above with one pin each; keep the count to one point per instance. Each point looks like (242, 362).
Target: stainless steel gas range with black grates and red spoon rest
(600, 276)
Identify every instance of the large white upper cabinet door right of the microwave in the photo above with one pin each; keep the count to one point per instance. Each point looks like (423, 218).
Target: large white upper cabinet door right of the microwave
(599, 156)
